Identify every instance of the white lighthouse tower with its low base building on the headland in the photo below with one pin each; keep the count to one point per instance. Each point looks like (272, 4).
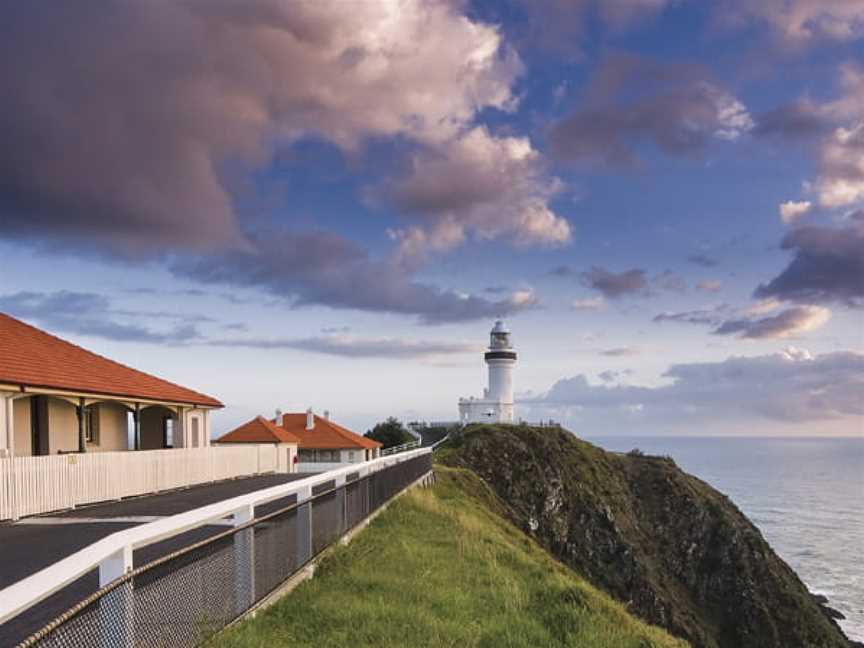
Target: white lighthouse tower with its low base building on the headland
(496, 405)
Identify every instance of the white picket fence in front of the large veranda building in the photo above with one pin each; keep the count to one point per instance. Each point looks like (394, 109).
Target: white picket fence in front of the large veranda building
(34, 485)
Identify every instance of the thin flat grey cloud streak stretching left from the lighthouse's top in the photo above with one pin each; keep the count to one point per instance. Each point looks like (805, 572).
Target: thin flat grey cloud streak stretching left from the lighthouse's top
(355, 347)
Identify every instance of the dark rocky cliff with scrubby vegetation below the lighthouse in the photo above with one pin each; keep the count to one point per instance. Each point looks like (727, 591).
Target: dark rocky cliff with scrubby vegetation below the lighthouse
(676, 551)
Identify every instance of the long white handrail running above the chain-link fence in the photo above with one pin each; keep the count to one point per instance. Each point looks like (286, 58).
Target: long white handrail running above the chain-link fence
(113, 553)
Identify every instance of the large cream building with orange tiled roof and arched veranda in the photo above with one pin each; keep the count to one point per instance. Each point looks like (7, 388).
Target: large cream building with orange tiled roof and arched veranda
(57, 397)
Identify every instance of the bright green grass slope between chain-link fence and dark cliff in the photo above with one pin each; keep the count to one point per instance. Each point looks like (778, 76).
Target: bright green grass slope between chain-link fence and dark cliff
(440, 567)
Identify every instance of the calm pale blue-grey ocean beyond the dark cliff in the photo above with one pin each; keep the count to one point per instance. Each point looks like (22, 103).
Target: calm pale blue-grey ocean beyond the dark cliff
(806, 495)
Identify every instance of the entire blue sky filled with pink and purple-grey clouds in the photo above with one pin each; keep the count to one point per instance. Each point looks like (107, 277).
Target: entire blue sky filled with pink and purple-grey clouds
(327, 204)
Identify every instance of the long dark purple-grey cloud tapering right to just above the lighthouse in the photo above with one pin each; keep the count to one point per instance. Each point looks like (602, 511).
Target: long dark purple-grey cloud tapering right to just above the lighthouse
(320, 268)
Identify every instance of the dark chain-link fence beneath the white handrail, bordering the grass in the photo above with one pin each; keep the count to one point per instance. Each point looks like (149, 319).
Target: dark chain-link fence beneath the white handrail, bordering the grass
(188, 596)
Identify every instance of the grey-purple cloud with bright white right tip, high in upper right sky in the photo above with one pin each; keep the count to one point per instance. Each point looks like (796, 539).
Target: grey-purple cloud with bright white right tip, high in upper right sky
(630, 100)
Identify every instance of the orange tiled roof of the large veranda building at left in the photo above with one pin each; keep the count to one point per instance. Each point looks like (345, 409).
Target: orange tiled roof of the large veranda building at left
(34, 358)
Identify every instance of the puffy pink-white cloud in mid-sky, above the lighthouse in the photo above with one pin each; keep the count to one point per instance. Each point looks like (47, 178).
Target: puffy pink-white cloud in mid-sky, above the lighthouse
(477, 183)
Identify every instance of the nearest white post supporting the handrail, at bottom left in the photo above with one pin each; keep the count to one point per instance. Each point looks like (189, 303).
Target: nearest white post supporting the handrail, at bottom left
(117, 608)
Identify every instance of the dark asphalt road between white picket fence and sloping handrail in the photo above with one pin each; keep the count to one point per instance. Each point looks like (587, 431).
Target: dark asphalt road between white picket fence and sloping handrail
(35, 543)
